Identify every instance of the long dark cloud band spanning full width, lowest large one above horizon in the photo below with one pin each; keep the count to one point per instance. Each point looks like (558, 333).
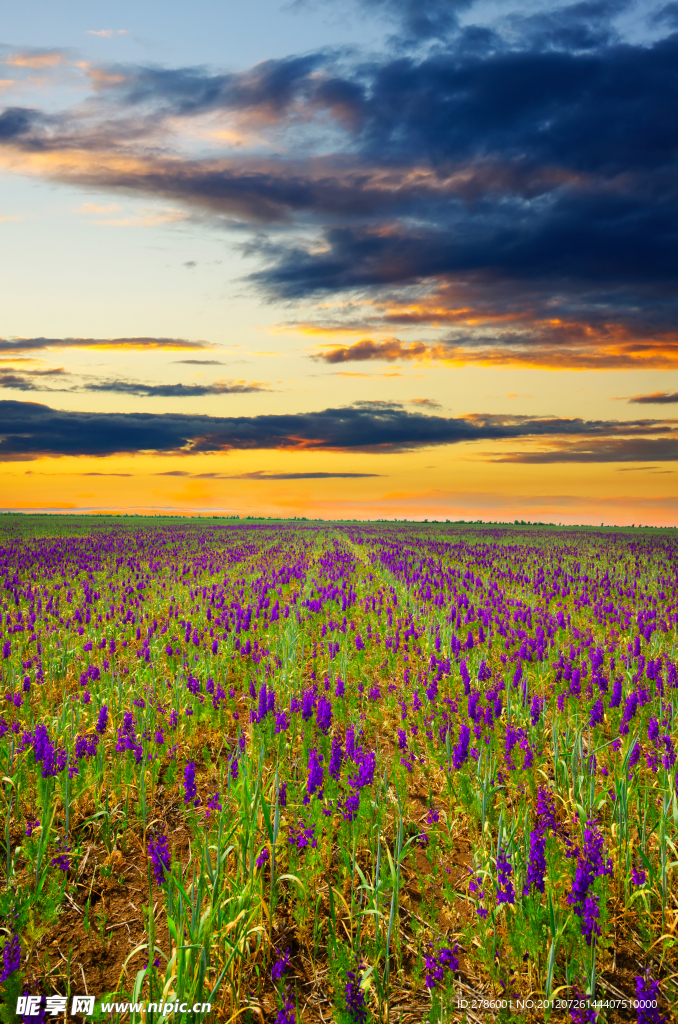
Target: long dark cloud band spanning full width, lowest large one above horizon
(29, 431)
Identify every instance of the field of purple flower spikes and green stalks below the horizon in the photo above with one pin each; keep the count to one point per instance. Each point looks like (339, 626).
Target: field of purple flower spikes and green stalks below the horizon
(353, 773)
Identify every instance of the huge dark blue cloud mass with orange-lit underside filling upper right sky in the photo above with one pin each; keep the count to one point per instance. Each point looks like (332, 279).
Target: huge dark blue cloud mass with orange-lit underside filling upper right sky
(505, 190)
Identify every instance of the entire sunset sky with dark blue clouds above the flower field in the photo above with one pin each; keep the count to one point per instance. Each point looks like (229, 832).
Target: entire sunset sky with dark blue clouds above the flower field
(351, 260)
